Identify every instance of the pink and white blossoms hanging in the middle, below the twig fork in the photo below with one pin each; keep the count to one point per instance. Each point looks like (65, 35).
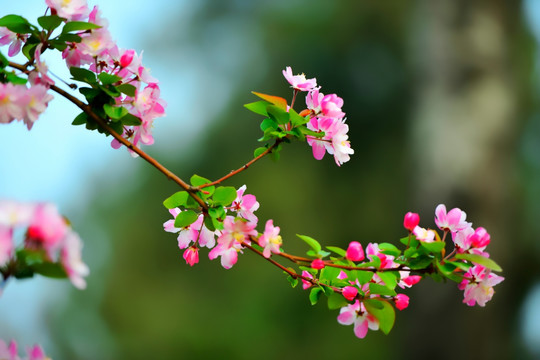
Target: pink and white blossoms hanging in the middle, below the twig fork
(238, 230)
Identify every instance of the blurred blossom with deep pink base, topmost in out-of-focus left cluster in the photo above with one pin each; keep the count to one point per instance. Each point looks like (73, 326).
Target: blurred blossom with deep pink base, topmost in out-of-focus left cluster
(47, 228)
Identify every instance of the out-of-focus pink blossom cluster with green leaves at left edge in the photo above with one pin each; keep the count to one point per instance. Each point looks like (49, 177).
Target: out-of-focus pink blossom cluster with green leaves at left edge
(48, 241)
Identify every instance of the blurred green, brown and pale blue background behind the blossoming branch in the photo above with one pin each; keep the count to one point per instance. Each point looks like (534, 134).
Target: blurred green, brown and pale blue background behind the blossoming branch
(442, 103)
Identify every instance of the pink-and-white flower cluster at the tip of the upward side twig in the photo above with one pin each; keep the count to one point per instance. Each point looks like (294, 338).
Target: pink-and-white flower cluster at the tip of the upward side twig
(325, 116)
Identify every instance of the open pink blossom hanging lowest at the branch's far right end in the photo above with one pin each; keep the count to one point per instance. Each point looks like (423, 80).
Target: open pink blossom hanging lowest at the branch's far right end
(478, 285)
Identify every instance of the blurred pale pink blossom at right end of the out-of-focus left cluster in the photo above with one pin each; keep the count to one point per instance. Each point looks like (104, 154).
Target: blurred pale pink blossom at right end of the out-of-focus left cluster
(70, 257)
